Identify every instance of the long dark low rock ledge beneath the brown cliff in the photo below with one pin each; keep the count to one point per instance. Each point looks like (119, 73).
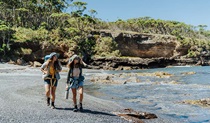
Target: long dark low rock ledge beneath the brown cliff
(138, 63)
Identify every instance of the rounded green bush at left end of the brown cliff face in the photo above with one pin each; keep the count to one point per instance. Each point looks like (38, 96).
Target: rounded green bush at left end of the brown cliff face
(106, 47)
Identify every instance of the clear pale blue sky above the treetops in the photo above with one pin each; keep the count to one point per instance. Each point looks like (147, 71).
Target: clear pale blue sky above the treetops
(194, 12)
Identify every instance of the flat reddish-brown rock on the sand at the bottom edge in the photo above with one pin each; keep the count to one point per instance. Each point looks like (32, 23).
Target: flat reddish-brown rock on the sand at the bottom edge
(134, 116)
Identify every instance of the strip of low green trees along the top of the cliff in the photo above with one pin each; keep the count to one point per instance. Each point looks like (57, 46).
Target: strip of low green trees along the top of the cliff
(153, 26)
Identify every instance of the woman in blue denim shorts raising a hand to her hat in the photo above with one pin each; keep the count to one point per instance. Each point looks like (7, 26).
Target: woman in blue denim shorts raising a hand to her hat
(76, 79)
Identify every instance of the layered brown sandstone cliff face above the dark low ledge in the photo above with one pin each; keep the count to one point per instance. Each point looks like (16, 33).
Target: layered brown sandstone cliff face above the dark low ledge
(146, 46)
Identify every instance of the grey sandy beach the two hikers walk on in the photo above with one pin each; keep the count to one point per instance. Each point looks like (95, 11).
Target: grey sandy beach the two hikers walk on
(22, 100)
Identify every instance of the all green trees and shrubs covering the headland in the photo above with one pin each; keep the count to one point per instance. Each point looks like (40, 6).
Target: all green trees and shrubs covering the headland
(49, 21)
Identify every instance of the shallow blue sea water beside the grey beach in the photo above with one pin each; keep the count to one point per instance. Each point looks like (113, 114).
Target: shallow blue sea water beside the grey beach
(160, 95)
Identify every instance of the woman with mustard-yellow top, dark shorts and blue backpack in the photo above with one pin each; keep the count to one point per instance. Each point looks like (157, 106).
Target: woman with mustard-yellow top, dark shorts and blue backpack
(51, 69)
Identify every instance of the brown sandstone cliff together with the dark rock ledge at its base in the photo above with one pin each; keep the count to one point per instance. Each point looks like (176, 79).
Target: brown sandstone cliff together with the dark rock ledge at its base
(144, 51)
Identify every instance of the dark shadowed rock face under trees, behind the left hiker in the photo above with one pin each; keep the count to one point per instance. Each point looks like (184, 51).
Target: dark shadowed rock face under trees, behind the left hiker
(39, 50)
